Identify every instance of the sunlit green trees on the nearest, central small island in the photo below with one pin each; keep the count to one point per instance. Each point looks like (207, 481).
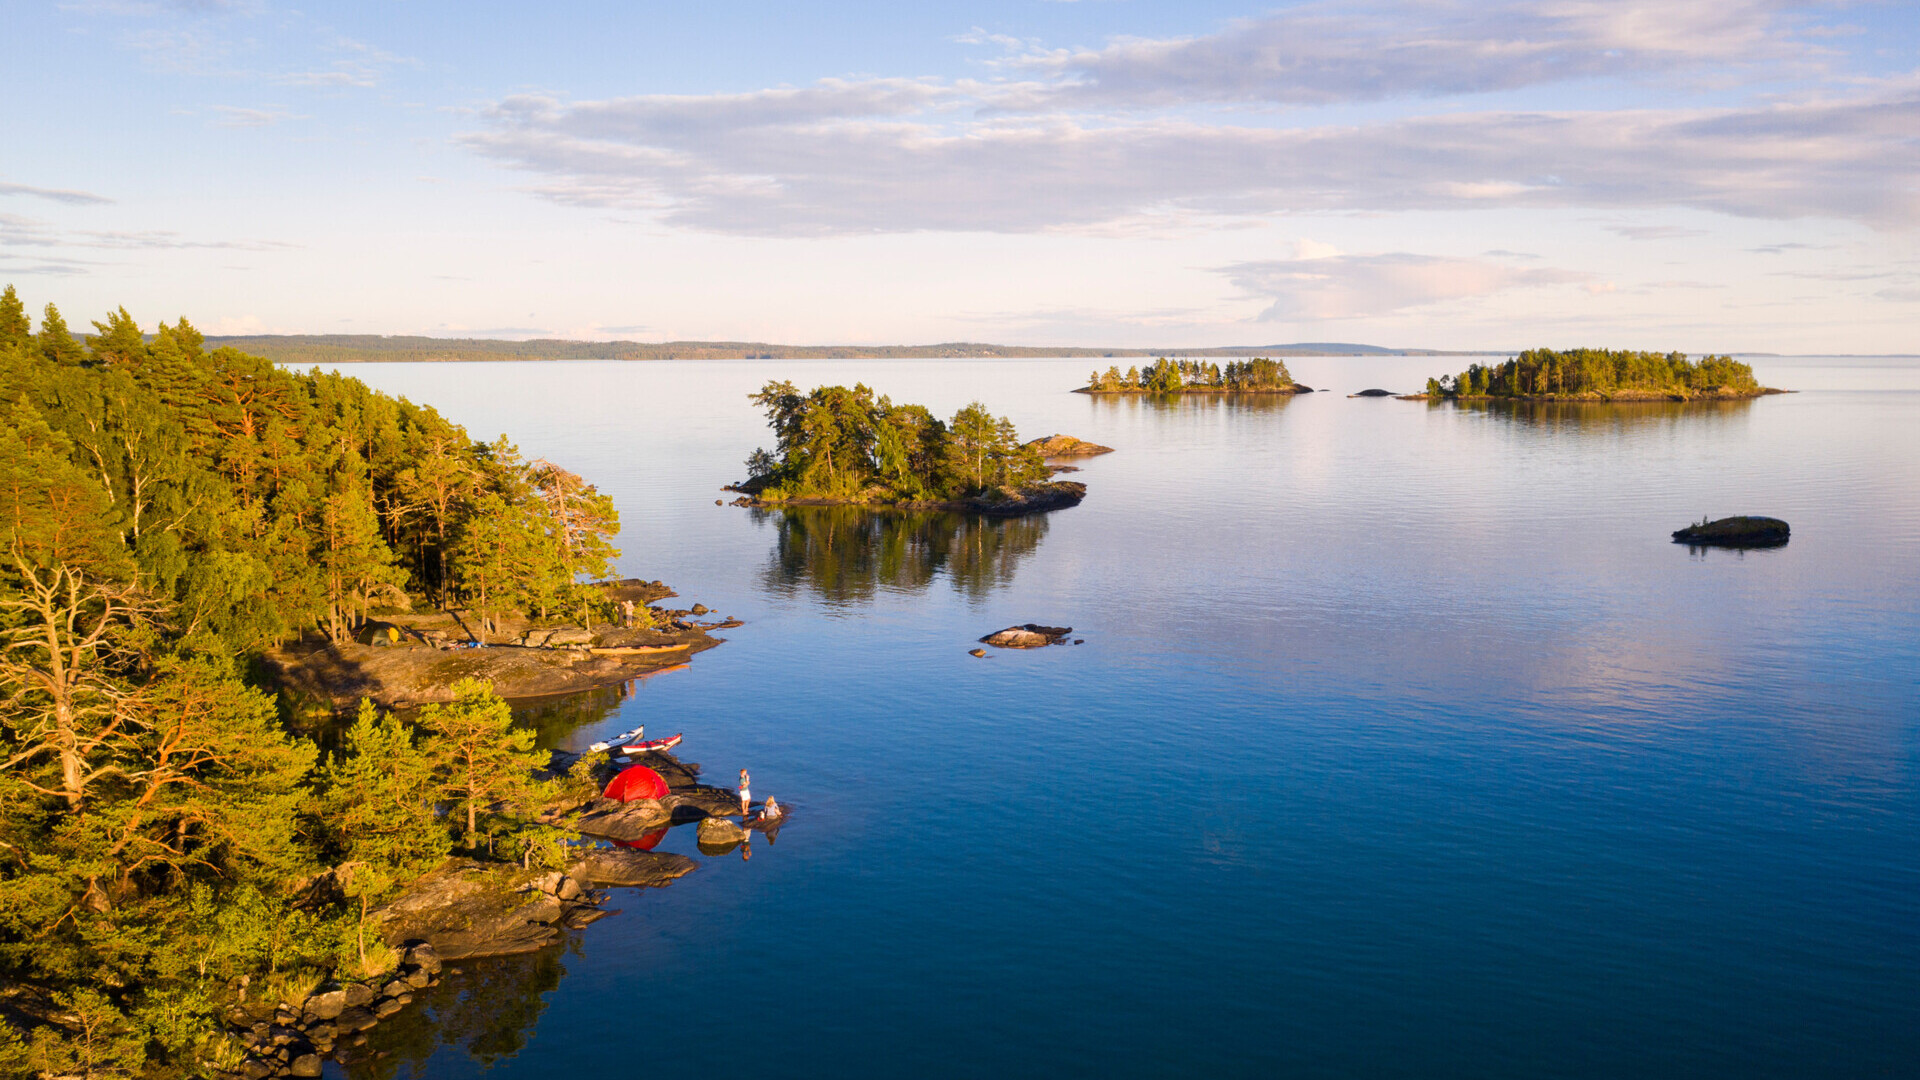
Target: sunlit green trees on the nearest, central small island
(848, 447)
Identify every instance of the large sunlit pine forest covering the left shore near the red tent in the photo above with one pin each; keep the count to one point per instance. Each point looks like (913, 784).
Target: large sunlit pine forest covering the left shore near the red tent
(168, 848)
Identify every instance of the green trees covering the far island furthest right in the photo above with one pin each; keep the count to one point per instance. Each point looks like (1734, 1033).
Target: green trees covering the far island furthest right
(1598, 374)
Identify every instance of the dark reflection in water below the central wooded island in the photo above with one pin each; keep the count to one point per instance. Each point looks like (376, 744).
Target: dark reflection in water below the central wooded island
(848, 554)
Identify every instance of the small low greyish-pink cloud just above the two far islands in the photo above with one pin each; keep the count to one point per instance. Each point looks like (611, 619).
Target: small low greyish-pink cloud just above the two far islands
(1368, 287)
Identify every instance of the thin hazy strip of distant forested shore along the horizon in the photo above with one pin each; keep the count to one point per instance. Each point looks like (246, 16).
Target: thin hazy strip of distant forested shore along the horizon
(379, 349)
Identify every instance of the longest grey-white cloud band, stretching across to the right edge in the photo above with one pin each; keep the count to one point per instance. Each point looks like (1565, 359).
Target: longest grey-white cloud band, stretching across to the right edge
(892, 157)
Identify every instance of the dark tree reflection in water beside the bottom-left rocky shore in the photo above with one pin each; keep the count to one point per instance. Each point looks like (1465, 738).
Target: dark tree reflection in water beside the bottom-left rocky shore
(489, 1012)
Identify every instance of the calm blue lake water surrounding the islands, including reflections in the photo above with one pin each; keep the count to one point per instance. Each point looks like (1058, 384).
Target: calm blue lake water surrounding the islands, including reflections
(1403, 741)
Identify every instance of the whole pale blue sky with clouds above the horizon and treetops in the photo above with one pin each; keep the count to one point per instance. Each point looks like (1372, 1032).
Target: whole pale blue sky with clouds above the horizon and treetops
(1708, 176)
